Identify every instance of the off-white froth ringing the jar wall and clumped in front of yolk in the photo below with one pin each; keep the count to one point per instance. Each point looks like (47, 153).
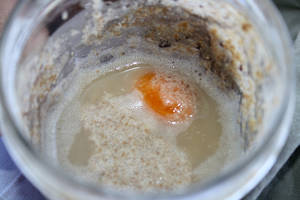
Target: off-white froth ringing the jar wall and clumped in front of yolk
(230, 143)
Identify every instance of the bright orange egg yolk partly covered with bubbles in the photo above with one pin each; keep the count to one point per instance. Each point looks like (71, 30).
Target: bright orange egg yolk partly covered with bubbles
(167, 96)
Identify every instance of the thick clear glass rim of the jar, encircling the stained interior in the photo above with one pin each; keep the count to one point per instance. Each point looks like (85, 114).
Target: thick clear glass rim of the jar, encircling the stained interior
(29, 29)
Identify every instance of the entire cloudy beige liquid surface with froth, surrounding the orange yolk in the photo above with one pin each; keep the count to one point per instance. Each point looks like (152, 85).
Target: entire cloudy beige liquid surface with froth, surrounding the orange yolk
(106, 133)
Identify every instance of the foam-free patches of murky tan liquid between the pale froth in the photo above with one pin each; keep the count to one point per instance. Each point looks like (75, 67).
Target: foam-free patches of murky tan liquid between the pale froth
(199, 141)
